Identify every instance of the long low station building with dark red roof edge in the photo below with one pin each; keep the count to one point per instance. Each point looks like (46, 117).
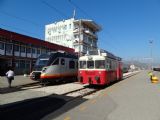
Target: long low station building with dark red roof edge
(20, 51)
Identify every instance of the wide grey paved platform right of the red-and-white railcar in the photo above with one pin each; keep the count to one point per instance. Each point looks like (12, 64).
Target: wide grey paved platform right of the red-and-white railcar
(134, 98)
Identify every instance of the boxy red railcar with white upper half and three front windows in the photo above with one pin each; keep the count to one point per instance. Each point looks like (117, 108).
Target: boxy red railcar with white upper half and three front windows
(99, 67)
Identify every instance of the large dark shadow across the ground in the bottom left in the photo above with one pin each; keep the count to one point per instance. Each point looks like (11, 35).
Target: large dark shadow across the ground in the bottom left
(33, 109)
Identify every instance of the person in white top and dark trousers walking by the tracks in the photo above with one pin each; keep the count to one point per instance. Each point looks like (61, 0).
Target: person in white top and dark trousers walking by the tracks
(10, 76)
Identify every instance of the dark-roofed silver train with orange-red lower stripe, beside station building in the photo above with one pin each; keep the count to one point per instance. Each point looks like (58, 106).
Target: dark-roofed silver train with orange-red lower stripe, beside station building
(54, 66)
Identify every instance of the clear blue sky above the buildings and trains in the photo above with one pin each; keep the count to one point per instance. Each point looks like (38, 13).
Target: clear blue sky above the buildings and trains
(127, 25)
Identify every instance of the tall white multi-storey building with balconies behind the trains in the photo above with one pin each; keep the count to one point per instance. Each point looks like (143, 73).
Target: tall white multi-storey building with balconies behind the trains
(80, 35)
